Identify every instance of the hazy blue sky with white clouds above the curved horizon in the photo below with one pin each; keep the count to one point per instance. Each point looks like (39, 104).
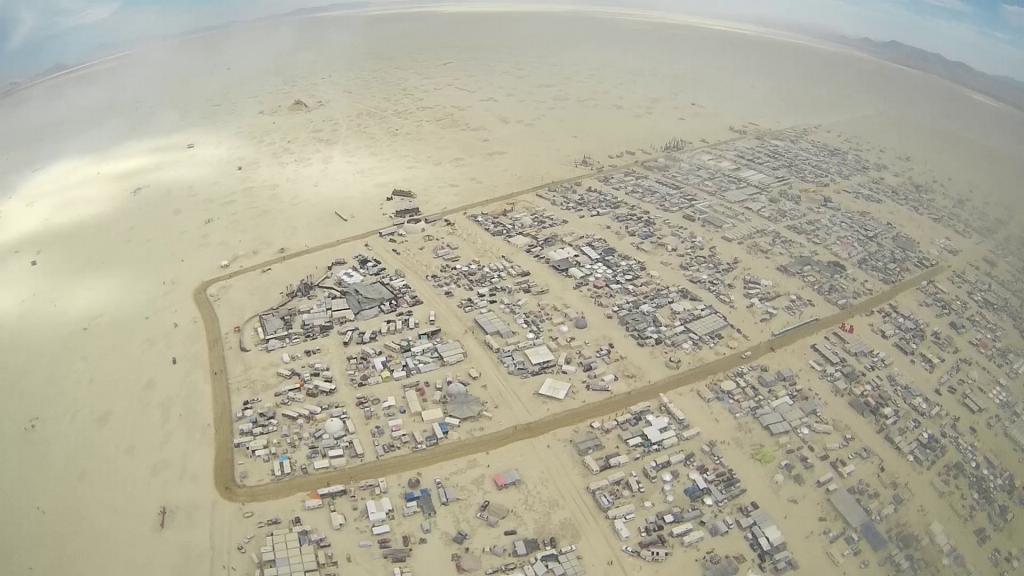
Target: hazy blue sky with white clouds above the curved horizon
(987, 34)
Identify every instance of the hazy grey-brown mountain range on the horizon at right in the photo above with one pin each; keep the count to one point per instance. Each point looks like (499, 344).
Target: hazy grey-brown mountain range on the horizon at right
(1001, 89)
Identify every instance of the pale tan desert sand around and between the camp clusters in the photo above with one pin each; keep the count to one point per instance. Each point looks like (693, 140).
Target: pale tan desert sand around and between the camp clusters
(126, 185)
